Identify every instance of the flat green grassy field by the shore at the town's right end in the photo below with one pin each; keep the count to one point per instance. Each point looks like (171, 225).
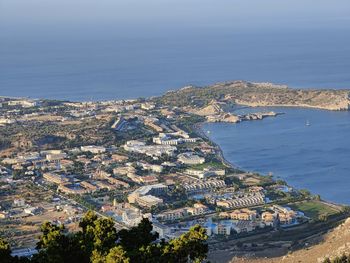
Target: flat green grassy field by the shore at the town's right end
(314, 209)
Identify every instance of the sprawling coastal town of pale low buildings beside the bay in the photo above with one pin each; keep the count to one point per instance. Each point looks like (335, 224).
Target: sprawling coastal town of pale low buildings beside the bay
(129, 160)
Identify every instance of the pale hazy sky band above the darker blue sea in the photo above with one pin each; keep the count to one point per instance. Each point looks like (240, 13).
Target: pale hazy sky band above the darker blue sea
(24, 16)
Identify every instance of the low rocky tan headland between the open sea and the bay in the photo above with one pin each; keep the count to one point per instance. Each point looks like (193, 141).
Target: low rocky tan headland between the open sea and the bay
(259, 94)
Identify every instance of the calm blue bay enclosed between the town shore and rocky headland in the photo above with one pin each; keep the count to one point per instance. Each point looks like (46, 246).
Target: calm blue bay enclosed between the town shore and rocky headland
(315, 156)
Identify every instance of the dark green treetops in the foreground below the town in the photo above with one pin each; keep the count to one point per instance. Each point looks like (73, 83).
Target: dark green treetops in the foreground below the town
(98, 241)
